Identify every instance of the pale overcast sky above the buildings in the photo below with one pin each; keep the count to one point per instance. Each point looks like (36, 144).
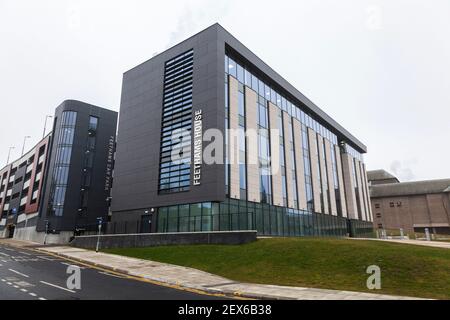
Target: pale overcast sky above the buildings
(380, 68)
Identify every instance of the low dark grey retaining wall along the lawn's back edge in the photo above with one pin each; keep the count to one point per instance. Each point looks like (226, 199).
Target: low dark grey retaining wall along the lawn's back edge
(163, 239)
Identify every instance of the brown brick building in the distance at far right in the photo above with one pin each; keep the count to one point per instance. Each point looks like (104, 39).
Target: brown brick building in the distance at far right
(412, 206)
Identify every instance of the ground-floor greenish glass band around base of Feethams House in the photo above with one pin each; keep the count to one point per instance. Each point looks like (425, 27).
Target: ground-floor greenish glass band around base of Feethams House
(233, 214)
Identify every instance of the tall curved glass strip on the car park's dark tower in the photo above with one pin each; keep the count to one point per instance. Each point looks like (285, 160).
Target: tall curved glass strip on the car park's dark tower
(62, 162)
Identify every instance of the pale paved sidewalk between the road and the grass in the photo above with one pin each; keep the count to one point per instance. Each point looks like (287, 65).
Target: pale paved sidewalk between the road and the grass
(188, 278)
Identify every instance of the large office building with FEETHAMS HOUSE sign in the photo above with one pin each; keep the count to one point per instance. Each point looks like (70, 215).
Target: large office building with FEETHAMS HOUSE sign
(276, 162)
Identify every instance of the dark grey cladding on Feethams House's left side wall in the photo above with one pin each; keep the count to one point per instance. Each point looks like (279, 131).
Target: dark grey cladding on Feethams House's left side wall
(137, 159)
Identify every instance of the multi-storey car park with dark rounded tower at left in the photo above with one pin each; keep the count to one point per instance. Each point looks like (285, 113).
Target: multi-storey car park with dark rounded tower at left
(62, 185)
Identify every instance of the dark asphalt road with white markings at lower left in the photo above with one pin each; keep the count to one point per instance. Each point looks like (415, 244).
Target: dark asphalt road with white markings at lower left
(29, 275)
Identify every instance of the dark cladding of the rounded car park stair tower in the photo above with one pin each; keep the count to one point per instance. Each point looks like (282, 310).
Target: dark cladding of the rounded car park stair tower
(98, 194)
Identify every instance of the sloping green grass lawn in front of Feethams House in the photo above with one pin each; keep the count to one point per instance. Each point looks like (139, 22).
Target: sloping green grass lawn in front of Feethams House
(321, 263)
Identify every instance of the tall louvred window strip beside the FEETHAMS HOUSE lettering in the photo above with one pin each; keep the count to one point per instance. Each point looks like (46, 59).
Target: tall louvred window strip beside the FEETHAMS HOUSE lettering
(175, 173)
